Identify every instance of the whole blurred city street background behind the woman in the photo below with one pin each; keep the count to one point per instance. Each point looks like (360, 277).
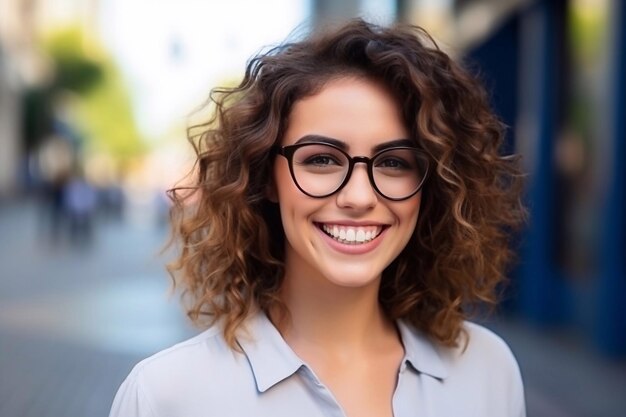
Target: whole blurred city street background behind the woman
(95, 96)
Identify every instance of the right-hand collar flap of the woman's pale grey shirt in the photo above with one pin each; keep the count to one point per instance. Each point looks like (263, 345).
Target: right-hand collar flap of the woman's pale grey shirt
(421, 352)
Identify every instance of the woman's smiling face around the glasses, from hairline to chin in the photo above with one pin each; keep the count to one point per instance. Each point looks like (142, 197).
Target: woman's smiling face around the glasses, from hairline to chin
(361, 116)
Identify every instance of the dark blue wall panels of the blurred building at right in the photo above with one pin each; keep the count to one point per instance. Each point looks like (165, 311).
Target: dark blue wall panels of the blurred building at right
(540, 291)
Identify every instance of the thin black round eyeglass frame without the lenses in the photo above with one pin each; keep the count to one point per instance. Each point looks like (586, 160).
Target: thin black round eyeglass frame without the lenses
(288, 151)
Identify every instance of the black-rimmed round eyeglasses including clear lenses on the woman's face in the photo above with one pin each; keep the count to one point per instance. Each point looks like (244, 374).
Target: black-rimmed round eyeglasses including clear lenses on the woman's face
(320, 169)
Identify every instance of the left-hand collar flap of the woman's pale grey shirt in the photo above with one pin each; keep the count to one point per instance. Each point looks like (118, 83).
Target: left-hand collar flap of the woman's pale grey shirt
(270, 357)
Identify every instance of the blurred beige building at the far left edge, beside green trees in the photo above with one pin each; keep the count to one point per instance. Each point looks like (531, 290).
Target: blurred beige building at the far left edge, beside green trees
(25, 72)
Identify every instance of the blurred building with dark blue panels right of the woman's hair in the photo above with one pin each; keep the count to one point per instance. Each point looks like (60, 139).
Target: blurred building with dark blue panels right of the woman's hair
(556, 72)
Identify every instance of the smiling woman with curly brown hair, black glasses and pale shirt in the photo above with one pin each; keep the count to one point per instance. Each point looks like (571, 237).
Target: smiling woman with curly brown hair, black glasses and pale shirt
(349, 208)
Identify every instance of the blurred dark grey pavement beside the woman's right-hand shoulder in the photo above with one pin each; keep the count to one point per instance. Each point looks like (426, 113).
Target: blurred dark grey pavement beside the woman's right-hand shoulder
(562, 374)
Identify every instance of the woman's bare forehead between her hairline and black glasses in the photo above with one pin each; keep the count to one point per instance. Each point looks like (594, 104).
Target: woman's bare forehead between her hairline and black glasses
(359, 112)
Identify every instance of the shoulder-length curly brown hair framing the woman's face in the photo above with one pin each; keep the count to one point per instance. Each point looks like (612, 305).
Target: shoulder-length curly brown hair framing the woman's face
(231, 236)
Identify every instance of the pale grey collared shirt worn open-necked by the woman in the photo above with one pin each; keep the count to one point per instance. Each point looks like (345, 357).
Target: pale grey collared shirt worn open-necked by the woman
(203, 377)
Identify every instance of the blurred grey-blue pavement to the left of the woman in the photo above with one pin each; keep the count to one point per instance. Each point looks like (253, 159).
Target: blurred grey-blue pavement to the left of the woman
(74, 320)
